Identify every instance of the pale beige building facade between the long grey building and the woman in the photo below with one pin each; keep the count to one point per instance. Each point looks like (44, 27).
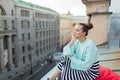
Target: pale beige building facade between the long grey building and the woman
(66, 26)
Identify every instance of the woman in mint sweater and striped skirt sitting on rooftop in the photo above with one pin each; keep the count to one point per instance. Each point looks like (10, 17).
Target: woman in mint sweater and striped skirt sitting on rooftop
(81, 57)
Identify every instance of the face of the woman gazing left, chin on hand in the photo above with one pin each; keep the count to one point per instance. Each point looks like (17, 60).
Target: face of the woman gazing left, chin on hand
(78, 32)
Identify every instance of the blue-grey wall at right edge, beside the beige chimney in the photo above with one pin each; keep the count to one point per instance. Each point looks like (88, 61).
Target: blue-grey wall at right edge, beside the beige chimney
(114, 31)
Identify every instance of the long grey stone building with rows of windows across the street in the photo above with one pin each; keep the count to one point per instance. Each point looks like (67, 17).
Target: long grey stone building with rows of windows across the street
(28, 35)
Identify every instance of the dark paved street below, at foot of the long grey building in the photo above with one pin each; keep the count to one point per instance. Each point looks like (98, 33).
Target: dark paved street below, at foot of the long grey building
(37, 72)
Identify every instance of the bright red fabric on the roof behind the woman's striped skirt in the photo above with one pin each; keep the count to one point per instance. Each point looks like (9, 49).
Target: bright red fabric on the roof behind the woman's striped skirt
(107, 74)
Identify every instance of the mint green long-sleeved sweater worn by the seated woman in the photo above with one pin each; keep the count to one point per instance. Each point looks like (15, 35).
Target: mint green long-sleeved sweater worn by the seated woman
(82, 54)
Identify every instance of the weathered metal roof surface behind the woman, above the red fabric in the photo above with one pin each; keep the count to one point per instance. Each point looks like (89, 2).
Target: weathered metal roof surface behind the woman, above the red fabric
(110, 58)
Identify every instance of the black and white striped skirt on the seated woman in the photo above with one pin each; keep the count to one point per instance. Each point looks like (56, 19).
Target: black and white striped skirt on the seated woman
(71, 74)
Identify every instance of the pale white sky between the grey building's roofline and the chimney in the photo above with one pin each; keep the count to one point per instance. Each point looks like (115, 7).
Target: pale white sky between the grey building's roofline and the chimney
(76, 7)
